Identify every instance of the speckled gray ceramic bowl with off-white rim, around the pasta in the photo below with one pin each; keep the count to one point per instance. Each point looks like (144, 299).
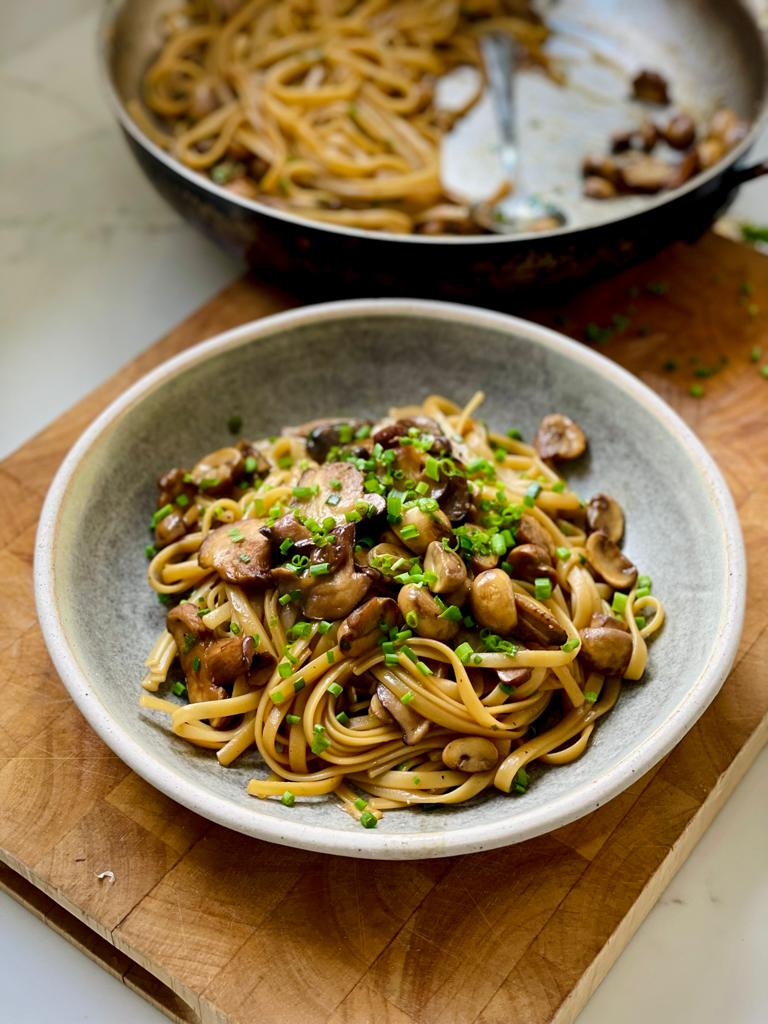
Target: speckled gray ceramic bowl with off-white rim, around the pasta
(100, 618)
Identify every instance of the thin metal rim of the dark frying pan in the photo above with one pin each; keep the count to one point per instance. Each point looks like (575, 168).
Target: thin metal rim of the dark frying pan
(727, 164)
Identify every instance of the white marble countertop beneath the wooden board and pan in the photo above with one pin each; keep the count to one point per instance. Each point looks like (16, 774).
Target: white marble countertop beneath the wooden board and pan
(94, 268)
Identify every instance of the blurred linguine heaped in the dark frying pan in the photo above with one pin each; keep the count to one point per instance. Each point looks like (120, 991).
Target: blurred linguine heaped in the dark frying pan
(325, 108)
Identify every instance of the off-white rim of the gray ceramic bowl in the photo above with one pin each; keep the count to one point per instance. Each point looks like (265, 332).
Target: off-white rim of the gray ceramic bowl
(527, 823)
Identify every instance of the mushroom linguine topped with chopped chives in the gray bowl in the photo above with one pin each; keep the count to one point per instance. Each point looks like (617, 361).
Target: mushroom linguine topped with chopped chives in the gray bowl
(397, 614)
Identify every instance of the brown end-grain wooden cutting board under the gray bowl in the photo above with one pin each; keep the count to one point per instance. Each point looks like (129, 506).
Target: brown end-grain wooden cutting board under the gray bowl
(215, 927)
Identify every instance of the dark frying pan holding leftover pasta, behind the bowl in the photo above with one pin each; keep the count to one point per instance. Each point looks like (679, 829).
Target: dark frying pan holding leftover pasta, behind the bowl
(713, 53)
